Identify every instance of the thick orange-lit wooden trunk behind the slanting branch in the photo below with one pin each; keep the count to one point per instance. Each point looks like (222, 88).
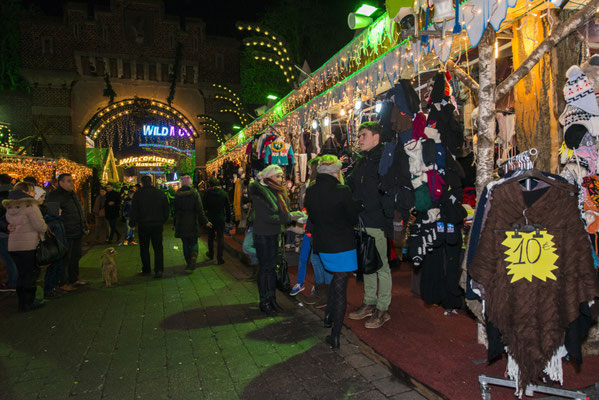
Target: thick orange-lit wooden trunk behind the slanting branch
(536, 123)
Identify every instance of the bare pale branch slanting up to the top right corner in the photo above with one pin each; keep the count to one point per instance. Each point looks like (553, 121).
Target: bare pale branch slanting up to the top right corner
(559, 32)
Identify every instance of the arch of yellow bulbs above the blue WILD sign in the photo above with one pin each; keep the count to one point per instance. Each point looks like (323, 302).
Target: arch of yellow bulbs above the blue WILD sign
(104, 117)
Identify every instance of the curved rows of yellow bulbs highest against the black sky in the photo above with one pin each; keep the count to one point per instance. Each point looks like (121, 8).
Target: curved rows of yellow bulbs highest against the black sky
(270, 47)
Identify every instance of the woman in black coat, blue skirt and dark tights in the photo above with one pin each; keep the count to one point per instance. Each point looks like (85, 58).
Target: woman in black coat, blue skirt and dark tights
(334, 214)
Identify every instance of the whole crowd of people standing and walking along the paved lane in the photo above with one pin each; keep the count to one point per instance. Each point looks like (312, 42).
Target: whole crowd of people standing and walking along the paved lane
(333, 200)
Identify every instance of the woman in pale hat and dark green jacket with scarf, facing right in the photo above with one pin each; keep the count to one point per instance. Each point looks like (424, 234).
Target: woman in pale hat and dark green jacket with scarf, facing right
(271, 207)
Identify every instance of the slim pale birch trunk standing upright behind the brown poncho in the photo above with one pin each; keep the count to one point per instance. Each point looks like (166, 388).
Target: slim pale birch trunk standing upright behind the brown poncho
(486, 110)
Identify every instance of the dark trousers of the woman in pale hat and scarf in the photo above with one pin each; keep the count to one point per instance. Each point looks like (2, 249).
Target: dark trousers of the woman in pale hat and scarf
(267, 248)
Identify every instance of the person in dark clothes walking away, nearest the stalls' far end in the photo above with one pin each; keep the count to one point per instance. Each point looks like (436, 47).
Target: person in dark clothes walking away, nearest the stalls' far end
(218, 211)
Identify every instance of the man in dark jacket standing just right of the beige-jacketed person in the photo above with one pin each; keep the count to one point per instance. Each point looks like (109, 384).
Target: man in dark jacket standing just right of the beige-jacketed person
(65, 201)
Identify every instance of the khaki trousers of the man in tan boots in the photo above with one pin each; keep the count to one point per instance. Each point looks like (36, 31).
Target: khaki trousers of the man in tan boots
(380, 279)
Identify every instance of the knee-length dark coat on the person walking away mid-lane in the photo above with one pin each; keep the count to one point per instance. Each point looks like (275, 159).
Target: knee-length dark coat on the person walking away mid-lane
(189, 213)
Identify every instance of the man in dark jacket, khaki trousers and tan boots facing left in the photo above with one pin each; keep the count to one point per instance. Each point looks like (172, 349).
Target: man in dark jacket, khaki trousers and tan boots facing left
(365, 182)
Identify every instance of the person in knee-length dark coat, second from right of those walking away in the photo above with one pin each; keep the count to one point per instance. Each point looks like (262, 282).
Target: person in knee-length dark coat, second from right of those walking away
(188, 217)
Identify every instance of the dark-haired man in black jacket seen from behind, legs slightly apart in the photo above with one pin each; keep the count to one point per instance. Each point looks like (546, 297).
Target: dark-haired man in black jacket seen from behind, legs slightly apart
(149, 212)
